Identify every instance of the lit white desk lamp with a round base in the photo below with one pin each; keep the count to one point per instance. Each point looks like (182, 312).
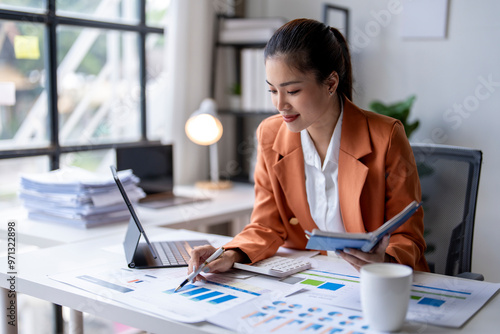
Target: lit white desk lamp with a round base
(204, 128)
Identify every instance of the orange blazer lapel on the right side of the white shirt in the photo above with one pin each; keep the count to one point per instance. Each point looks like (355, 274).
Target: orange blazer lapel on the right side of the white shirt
(355, 143)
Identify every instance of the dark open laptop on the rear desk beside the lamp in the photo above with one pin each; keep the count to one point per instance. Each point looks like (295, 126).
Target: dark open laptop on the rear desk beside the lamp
(153, 165)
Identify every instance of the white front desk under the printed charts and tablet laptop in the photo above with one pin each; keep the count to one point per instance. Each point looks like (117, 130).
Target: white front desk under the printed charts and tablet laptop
(34, 267)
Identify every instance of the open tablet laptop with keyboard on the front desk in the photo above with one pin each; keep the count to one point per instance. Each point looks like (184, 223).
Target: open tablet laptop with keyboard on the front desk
(159, 254)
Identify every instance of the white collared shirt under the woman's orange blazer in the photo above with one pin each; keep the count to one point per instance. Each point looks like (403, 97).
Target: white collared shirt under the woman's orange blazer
(322, 181)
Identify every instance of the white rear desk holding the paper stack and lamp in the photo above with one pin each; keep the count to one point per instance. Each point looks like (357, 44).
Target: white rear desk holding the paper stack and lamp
(234, 205)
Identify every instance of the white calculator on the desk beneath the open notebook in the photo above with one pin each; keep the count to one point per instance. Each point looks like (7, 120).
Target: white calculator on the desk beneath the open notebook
(277, 266)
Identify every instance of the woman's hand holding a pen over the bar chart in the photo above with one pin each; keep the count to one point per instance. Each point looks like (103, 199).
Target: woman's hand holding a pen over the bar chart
(223, 263)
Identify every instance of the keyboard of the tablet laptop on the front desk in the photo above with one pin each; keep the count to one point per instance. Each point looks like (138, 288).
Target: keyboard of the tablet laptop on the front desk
(175, 253)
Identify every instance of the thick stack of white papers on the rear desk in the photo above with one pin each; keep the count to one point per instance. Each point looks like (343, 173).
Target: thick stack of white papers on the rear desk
(79, 198)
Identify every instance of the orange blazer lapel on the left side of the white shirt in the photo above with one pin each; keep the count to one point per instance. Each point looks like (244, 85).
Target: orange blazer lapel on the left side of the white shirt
(289, 170)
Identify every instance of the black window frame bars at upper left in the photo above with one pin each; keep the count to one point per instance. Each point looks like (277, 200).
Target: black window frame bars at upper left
(51, 21)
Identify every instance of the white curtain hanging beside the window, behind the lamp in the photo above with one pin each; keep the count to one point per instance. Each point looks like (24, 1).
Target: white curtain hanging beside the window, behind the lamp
(188, 61)
